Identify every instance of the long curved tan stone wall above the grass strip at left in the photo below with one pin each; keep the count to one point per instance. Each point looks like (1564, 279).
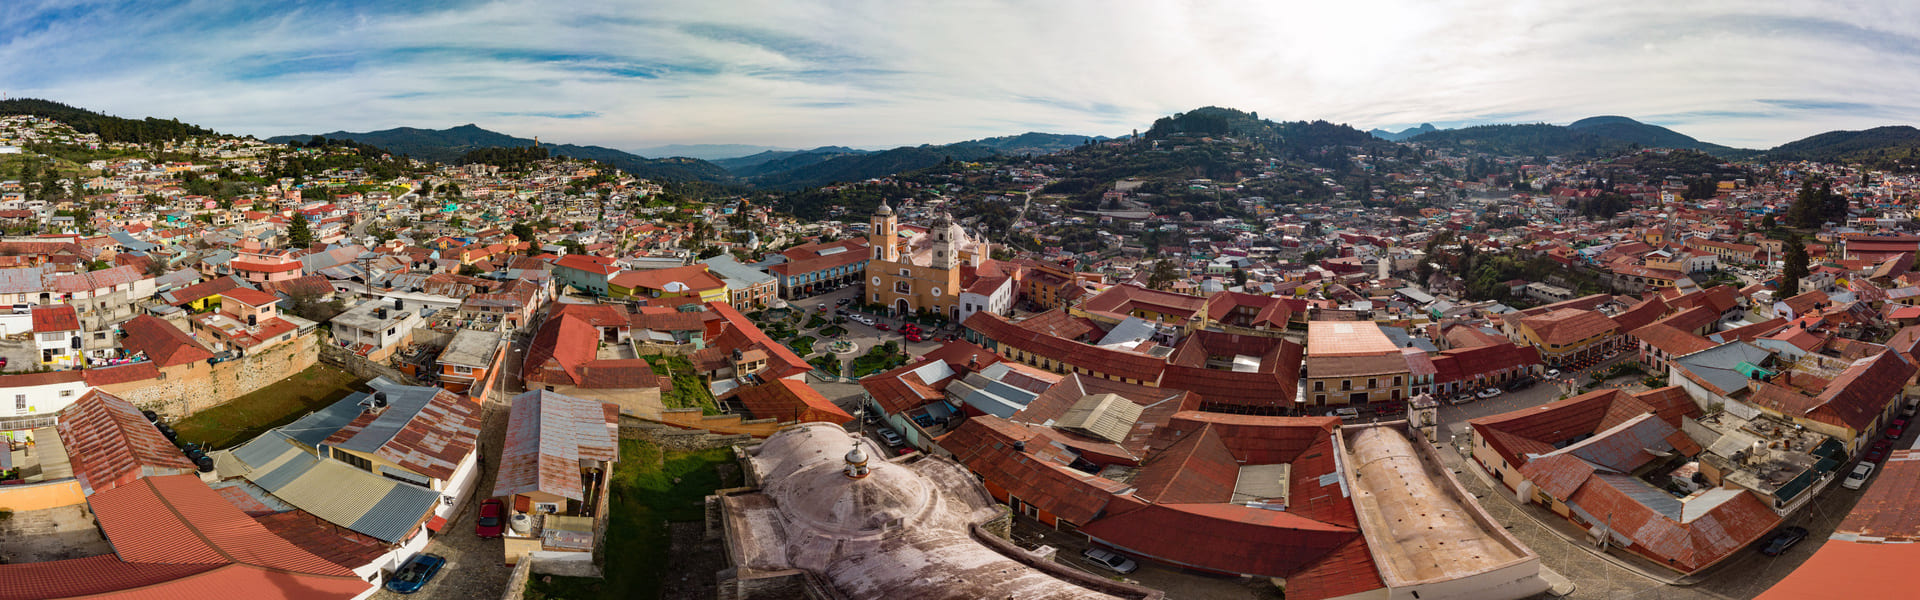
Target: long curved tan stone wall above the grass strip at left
(193, 387)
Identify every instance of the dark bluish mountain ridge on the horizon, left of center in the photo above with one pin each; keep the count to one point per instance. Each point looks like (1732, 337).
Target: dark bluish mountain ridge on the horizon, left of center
(448, 145)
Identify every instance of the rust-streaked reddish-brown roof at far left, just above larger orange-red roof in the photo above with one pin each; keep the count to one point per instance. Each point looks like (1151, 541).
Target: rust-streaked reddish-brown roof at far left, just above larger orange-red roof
(112, 443)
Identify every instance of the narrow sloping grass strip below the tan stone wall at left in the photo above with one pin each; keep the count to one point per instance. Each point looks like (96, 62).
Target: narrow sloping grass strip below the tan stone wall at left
(270, 407)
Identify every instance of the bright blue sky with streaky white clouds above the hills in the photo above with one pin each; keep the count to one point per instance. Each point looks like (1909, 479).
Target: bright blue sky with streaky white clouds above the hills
(805, 74)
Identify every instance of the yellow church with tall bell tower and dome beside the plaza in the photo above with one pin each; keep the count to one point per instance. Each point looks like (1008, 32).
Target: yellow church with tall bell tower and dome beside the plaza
(913, 274)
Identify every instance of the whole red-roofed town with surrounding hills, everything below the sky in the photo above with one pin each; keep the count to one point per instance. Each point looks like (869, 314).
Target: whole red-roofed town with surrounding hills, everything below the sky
(1214, 359)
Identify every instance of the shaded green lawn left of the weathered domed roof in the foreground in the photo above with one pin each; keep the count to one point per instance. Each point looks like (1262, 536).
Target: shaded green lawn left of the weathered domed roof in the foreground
(648, 493)
